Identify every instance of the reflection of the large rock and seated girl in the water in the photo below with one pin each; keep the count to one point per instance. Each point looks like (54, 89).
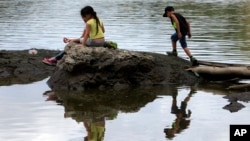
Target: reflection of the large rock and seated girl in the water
(93, 108)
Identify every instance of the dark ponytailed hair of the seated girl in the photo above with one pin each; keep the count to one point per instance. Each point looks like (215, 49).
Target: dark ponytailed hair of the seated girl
(89, 10)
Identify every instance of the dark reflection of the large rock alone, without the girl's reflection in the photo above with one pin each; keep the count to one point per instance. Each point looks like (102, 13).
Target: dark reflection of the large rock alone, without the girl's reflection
(96, 104)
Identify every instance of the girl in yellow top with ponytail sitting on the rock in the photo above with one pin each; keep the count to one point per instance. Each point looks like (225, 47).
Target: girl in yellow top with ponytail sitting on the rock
(92, 36)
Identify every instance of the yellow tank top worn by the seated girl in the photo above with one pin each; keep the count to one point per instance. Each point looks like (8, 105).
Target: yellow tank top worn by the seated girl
(93, 32)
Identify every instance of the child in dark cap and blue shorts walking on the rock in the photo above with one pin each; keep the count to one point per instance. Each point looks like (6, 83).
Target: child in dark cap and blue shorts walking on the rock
(182, 28)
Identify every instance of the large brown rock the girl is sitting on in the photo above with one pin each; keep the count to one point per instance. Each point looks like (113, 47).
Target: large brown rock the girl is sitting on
(83, 68)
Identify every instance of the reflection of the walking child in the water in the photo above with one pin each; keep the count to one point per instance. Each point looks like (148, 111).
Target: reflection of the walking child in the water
(182, 120)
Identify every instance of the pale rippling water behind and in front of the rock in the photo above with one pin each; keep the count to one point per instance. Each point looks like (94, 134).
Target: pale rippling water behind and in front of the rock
(220, 31)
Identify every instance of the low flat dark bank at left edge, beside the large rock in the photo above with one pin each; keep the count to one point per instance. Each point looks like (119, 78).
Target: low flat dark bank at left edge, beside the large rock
(20, 67)
